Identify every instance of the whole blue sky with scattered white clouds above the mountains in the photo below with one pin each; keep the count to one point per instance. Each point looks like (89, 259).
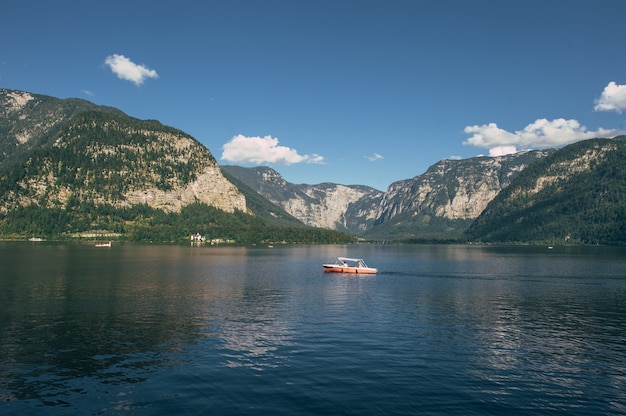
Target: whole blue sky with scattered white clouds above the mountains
(352, 92)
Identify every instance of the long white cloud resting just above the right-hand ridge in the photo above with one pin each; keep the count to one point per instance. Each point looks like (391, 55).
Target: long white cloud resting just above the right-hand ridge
(541, 133)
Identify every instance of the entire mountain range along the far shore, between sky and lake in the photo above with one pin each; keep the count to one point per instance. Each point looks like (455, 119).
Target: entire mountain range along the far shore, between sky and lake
(75, 161)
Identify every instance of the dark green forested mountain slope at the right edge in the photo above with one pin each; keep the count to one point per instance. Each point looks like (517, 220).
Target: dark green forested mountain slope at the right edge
(576, 195)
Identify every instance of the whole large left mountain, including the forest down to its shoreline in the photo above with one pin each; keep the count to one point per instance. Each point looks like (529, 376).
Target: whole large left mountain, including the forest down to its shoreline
(71, 169)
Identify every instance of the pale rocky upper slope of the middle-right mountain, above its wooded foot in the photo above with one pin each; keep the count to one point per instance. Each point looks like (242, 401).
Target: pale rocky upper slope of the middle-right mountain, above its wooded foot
(454, 189)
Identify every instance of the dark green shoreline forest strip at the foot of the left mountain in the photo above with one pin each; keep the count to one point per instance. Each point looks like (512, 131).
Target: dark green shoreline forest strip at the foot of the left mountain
(142, 223)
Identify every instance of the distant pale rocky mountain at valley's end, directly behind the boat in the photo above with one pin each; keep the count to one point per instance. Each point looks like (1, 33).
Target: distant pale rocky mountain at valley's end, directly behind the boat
(349, 208)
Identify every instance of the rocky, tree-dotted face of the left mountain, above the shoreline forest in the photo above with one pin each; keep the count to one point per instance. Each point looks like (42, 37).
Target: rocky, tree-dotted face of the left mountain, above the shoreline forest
(90, 155)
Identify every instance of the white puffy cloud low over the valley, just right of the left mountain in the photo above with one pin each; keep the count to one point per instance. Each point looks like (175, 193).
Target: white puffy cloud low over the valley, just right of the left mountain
(263, 150)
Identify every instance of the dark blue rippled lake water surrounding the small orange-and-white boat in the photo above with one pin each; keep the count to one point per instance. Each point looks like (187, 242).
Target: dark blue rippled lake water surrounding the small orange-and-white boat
(169, 330)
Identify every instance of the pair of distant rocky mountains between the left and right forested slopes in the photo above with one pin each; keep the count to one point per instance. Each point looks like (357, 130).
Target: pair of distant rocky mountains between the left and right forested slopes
(441, 203)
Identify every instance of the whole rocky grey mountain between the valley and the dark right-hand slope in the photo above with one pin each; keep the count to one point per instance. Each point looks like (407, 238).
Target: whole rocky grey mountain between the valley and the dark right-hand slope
(443, 201)
